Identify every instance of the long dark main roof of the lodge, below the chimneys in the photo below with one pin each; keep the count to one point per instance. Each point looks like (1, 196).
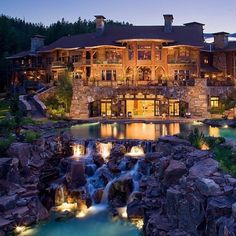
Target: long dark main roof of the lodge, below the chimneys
(180, 35)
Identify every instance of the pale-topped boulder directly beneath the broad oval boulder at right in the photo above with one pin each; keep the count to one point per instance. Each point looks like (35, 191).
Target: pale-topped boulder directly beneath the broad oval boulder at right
(207, 187)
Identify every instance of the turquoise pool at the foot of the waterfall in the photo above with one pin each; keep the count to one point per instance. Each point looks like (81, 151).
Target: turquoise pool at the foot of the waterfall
(98, 224)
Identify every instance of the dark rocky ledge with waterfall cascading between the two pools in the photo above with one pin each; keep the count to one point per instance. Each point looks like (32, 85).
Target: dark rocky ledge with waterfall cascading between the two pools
(174, 188)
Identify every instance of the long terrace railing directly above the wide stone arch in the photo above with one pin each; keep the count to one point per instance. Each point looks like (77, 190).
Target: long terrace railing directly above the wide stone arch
(133, 83)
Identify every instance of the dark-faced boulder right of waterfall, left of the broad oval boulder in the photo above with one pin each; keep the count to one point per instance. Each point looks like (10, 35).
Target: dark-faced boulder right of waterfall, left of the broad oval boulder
(174, 171)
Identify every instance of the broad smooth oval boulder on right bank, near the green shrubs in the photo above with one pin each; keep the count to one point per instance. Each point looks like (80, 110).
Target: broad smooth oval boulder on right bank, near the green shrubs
(203, 168)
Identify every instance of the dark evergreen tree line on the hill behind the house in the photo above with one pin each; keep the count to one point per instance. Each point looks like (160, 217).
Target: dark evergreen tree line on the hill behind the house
(15, 35)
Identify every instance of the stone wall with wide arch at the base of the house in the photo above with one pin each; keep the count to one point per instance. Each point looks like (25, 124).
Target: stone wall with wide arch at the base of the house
(196, 96)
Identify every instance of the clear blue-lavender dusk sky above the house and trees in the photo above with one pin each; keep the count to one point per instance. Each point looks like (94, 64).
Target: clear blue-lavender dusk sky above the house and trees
(217, 15)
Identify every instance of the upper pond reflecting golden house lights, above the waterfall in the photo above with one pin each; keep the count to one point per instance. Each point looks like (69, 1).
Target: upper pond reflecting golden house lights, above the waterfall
(146, 131)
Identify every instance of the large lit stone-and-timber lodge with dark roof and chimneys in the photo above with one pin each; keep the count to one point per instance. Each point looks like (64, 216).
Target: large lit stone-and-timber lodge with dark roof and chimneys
(138, 71)
